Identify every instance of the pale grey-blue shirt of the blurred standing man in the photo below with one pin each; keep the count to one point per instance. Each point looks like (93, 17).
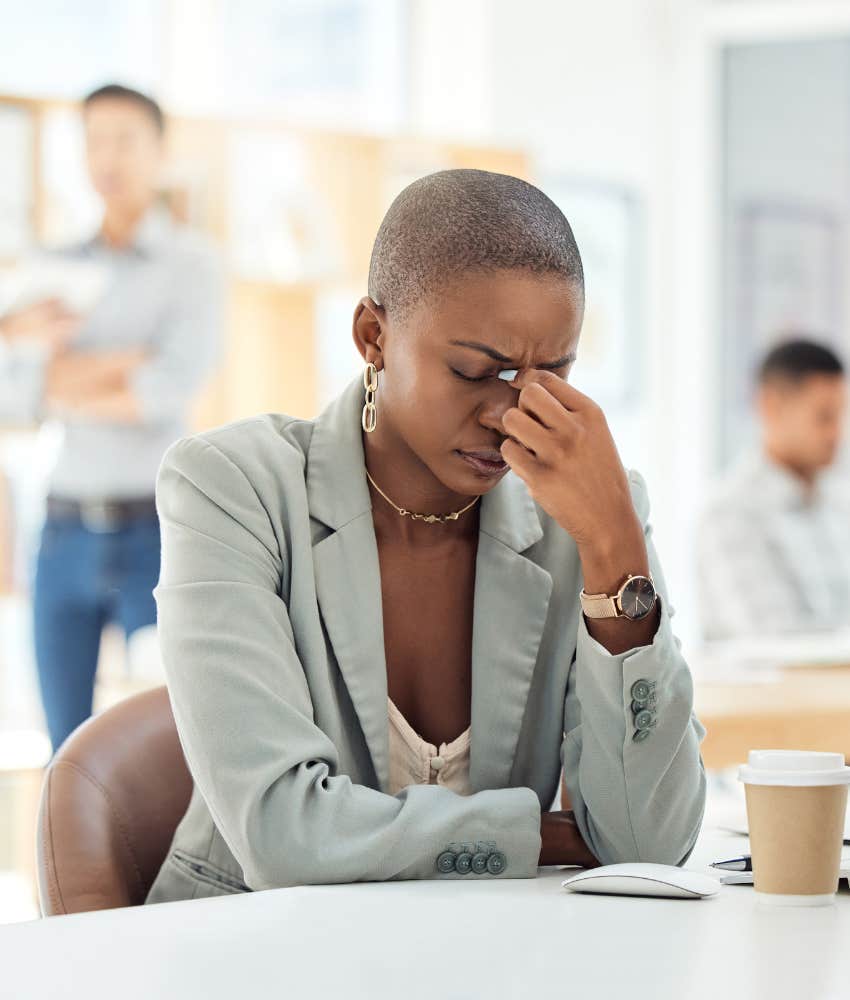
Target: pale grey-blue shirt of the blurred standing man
(164, 295)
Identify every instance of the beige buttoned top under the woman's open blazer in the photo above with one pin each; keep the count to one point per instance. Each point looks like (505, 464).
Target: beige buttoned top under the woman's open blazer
(415, 762)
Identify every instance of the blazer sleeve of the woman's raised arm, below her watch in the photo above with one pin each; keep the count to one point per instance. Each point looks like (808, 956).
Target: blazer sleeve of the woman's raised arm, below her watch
(644, 799)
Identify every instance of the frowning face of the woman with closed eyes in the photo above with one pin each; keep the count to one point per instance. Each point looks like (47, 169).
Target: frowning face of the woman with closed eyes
(439, 394)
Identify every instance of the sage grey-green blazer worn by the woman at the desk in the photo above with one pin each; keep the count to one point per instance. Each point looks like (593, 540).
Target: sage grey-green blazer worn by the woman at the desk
(270, 624)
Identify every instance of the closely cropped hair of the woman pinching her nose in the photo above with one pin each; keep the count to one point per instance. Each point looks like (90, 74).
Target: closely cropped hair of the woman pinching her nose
(453, 222)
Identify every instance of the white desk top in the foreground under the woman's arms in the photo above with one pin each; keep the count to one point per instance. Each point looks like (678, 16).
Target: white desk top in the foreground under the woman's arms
(521, 938)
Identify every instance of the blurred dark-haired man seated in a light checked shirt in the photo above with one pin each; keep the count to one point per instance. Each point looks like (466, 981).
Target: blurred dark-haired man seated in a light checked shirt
(774, 542)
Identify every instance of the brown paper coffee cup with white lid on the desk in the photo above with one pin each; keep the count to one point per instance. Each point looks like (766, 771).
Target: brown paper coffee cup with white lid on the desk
(796, 804)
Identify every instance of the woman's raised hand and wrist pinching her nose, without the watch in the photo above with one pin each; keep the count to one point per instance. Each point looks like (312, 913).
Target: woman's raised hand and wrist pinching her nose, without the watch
(559, 444)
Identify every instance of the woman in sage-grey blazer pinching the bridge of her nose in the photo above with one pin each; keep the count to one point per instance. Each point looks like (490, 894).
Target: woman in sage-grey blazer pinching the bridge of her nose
(372, 622)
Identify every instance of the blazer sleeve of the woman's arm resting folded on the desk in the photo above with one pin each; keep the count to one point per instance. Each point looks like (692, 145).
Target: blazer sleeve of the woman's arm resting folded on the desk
(268, 774)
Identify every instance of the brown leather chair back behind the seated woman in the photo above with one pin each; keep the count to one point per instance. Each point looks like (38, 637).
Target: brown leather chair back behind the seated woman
(111, 800)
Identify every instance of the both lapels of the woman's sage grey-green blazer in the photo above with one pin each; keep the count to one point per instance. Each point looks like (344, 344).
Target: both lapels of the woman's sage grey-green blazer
(511, 597)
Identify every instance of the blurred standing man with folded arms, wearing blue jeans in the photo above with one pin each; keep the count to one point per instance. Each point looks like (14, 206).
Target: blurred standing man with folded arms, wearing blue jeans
(121, 382)
